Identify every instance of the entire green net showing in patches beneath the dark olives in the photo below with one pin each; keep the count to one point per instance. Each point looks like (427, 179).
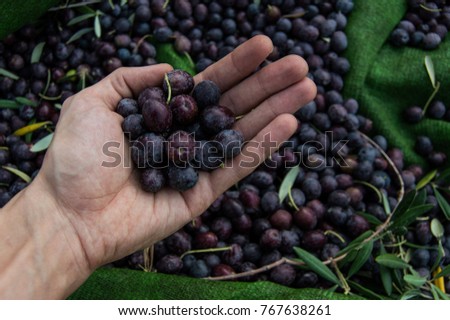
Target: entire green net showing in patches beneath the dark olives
(385, 80)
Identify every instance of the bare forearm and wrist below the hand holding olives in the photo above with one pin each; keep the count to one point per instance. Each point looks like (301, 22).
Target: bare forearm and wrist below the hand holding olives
(40, 256)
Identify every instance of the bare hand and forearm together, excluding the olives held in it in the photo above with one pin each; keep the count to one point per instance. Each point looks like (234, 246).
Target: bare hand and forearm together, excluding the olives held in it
(78, 215)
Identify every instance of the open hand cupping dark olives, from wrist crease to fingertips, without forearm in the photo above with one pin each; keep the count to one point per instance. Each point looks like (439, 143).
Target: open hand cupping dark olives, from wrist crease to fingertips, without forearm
(108, 211)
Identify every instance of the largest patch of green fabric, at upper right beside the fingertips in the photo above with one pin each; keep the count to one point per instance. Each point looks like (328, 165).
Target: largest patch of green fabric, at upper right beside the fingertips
(387, 80)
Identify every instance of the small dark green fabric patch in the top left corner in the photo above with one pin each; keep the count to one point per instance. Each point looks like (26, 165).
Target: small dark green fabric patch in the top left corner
(13, 17)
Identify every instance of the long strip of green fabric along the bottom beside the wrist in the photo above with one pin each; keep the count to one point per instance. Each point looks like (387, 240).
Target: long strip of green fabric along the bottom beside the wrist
(130, 285)
